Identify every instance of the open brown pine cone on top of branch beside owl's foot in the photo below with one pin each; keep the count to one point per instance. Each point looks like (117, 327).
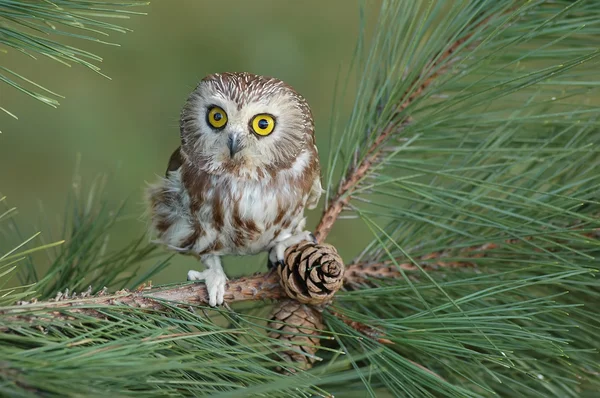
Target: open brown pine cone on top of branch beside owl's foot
(312, 273)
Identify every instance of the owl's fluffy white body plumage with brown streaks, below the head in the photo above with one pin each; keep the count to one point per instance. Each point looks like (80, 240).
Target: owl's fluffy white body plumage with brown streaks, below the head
(235, 215)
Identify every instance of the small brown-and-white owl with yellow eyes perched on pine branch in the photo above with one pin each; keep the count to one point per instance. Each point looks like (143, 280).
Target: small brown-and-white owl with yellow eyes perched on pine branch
(238, 184)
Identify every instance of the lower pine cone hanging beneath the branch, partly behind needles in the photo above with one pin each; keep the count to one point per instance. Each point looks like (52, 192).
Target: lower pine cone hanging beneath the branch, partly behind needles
(299, 319)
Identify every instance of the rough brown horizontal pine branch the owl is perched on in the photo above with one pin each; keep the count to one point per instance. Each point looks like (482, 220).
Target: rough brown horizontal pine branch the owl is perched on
(260, 286)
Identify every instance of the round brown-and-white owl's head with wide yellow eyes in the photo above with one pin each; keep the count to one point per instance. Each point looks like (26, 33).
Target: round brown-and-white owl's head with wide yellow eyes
(244, 122)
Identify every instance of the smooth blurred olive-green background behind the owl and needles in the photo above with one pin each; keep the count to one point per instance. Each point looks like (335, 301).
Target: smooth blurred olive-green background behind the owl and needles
(128, 126)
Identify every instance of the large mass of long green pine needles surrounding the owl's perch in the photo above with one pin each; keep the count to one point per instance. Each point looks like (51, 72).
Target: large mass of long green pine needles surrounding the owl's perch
(493, 167)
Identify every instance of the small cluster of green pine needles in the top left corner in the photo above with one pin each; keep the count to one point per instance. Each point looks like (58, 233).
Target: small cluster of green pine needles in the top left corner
(39, 28)
